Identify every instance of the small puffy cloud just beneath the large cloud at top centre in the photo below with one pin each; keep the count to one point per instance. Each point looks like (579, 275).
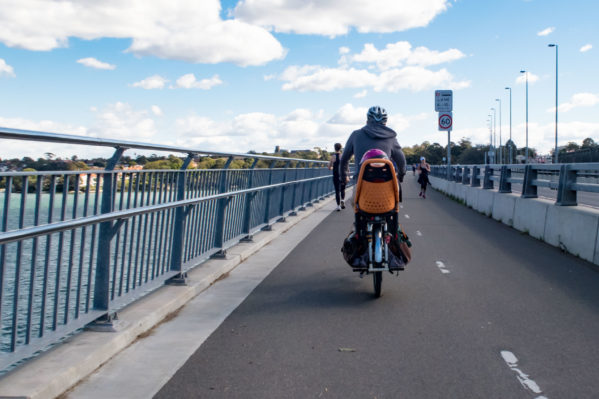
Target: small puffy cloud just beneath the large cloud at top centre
(401, 53)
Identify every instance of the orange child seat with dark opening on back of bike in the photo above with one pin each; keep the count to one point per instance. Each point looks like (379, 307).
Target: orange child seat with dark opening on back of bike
(377, 190)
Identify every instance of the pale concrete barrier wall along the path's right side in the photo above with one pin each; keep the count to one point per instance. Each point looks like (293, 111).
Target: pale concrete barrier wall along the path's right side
(574, 229)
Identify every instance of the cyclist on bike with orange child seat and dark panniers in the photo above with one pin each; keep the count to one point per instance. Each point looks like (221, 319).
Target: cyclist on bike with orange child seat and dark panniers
(375, 245)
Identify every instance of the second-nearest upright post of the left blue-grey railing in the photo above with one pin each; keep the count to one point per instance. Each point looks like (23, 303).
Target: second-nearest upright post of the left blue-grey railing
(179, 224)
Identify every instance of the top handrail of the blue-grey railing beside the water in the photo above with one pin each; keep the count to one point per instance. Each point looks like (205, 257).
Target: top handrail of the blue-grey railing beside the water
(31, 135)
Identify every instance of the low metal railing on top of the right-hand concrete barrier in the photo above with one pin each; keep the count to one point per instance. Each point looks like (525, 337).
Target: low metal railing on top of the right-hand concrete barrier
(567, 184)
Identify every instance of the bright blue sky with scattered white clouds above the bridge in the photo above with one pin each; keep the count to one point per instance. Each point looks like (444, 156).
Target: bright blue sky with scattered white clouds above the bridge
(251, 74)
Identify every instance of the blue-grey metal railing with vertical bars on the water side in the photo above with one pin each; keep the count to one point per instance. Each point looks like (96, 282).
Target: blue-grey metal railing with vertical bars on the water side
(76, 246)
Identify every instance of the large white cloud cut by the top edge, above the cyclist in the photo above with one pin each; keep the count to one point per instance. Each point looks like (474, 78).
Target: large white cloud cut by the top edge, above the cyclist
(337, 17)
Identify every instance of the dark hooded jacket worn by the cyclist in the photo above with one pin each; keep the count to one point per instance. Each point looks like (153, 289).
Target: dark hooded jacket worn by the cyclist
(373, 135)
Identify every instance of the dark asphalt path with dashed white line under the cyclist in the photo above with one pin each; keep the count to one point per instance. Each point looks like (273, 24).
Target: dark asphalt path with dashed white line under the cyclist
(480, 308)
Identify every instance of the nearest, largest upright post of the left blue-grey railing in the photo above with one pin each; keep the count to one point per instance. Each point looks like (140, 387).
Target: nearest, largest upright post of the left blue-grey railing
(107, 232)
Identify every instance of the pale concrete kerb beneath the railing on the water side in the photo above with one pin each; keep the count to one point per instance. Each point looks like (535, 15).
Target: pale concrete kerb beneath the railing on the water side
(60, 368)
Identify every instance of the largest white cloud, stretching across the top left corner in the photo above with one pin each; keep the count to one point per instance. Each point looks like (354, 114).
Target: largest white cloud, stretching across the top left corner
(185, 30)
